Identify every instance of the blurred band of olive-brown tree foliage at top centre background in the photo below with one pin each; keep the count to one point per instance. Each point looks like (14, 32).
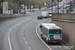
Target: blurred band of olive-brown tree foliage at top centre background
(35, 3)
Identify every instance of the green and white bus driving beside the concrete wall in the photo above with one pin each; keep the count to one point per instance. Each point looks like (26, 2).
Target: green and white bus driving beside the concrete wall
(51, 32)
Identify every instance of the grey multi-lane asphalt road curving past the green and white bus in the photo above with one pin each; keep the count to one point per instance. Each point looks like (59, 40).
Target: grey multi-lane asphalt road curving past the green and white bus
(19, 33)
